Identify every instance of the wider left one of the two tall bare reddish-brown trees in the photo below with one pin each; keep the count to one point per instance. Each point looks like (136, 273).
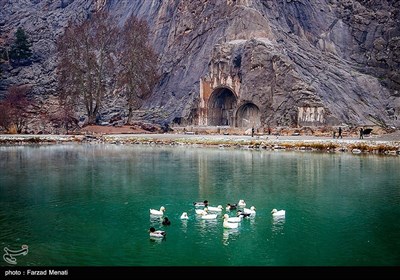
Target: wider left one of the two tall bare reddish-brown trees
(86, 68)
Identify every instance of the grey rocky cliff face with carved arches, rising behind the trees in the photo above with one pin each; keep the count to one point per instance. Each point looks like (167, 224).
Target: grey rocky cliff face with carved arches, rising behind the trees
(247, 62)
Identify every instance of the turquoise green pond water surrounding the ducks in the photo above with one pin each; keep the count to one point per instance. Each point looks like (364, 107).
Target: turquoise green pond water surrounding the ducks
(88, 205)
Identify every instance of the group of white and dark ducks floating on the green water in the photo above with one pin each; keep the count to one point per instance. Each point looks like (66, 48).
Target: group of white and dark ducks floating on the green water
(207, 212)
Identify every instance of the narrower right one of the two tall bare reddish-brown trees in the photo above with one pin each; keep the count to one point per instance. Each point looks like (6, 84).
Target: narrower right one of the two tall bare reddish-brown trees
(138, 63)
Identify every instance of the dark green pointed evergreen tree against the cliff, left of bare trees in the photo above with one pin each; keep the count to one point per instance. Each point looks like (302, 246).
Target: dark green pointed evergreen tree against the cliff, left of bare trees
(21, 48)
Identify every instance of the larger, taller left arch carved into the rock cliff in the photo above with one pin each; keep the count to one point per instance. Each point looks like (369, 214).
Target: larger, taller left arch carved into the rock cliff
(221, 106)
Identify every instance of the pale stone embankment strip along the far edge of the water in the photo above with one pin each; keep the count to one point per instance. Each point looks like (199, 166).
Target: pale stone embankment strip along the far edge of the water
(258, 142)
